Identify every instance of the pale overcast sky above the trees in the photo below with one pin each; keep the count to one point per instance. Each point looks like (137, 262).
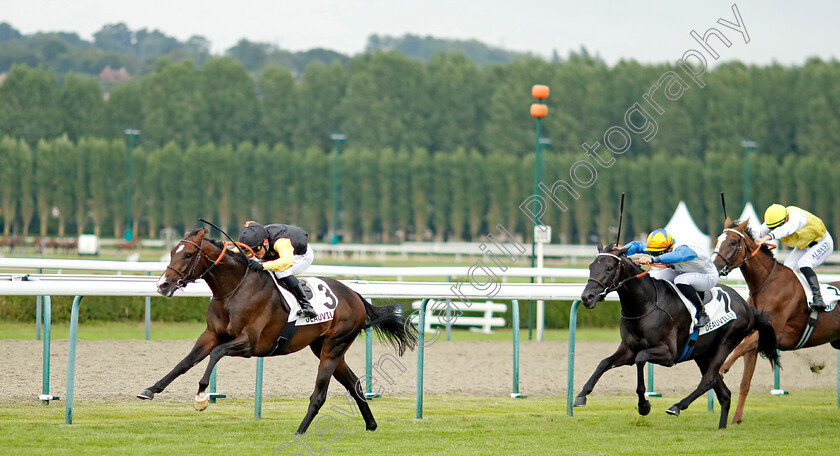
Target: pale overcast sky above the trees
(646, 30)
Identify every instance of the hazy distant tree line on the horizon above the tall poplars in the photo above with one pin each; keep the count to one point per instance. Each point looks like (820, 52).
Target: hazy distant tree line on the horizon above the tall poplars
(117, 46)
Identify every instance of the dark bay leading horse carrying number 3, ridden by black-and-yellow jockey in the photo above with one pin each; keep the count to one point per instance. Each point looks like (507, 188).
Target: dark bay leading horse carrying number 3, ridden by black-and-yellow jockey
(247, 314)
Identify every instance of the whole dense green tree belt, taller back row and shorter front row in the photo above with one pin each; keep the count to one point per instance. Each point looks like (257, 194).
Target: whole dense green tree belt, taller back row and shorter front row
(436, 150)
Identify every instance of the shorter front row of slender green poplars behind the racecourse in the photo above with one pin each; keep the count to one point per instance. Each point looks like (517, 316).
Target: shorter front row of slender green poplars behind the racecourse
(66, 188)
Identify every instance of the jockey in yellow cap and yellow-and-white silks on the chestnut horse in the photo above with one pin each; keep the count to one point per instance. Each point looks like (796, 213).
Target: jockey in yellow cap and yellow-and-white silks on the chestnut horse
(806, 233)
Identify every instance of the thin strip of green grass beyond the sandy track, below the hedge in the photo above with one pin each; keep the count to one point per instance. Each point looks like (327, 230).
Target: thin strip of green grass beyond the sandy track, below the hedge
(160, 330)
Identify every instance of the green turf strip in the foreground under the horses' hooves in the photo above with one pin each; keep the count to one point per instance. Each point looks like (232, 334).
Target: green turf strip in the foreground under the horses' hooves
(804, 423)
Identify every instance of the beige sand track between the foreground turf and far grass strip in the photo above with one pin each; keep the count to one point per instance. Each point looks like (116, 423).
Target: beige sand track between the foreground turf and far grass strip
(117, 370)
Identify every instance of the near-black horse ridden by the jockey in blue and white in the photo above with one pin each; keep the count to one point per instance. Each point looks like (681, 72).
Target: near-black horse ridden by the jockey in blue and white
(655, 328)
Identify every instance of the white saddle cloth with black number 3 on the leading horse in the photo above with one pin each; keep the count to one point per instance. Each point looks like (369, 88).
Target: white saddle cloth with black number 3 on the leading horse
(323, 301)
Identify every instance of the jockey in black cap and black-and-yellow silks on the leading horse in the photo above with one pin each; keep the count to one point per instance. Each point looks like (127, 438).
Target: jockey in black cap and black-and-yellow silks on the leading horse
(284, 251)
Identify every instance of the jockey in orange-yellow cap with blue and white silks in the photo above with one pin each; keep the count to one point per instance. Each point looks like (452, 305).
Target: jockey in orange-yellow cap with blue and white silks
(689, 268)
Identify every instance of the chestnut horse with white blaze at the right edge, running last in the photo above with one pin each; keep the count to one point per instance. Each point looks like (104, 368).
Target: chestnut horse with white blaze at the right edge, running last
(776, 290)
